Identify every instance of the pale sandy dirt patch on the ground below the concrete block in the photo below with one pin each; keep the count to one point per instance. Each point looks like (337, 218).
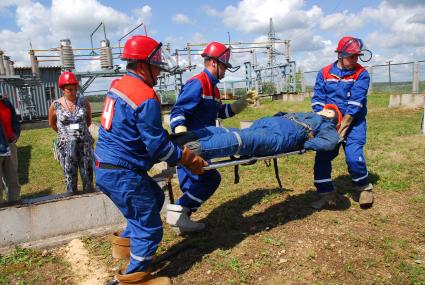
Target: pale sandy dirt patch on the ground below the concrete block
(87, 271)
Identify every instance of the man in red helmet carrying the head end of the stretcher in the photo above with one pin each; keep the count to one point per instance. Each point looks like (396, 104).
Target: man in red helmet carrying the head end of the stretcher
(344, 83)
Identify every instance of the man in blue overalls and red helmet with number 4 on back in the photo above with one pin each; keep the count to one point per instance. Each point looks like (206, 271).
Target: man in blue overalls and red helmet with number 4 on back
(131, 140)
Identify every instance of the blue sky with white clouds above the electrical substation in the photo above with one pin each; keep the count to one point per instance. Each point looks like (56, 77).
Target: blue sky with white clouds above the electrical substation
(392, 29)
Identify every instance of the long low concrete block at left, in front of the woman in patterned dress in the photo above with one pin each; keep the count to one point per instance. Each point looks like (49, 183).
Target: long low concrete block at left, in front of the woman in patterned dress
(51, 218)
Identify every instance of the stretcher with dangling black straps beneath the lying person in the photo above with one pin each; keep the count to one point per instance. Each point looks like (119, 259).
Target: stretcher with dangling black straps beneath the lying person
(251, 160)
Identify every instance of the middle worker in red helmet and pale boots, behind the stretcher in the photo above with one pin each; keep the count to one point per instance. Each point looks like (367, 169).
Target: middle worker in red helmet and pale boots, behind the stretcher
(198, 106)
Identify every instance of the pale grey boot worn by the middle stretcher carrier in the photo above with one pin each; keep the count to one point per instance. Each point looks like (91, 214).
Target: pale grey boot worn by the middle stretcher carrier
(178, 218)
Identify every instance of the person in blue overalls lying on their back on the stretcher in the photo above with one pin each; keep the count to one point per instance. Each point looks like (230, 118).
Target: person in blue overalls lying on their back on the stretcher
(284, 132)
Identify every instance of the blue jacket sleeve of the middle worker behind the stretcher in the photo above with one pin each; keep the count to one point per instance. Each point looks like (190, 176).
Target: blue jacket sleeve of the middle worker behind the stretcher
(188, 99)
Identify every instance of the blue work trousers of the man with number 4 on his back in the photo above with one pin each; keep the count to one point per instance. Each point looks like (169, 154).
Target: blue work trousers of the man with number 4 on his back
(140, 199)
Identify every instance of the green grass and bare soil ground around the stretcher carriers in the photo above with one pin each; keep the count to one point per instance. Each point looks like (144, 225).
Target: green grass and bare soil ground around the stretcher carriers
(252, 225)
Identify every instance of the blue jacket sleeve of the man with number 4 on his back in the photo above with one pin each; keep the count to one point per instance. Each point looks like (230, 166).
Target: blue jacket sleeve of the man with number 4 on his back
(153, 134)
